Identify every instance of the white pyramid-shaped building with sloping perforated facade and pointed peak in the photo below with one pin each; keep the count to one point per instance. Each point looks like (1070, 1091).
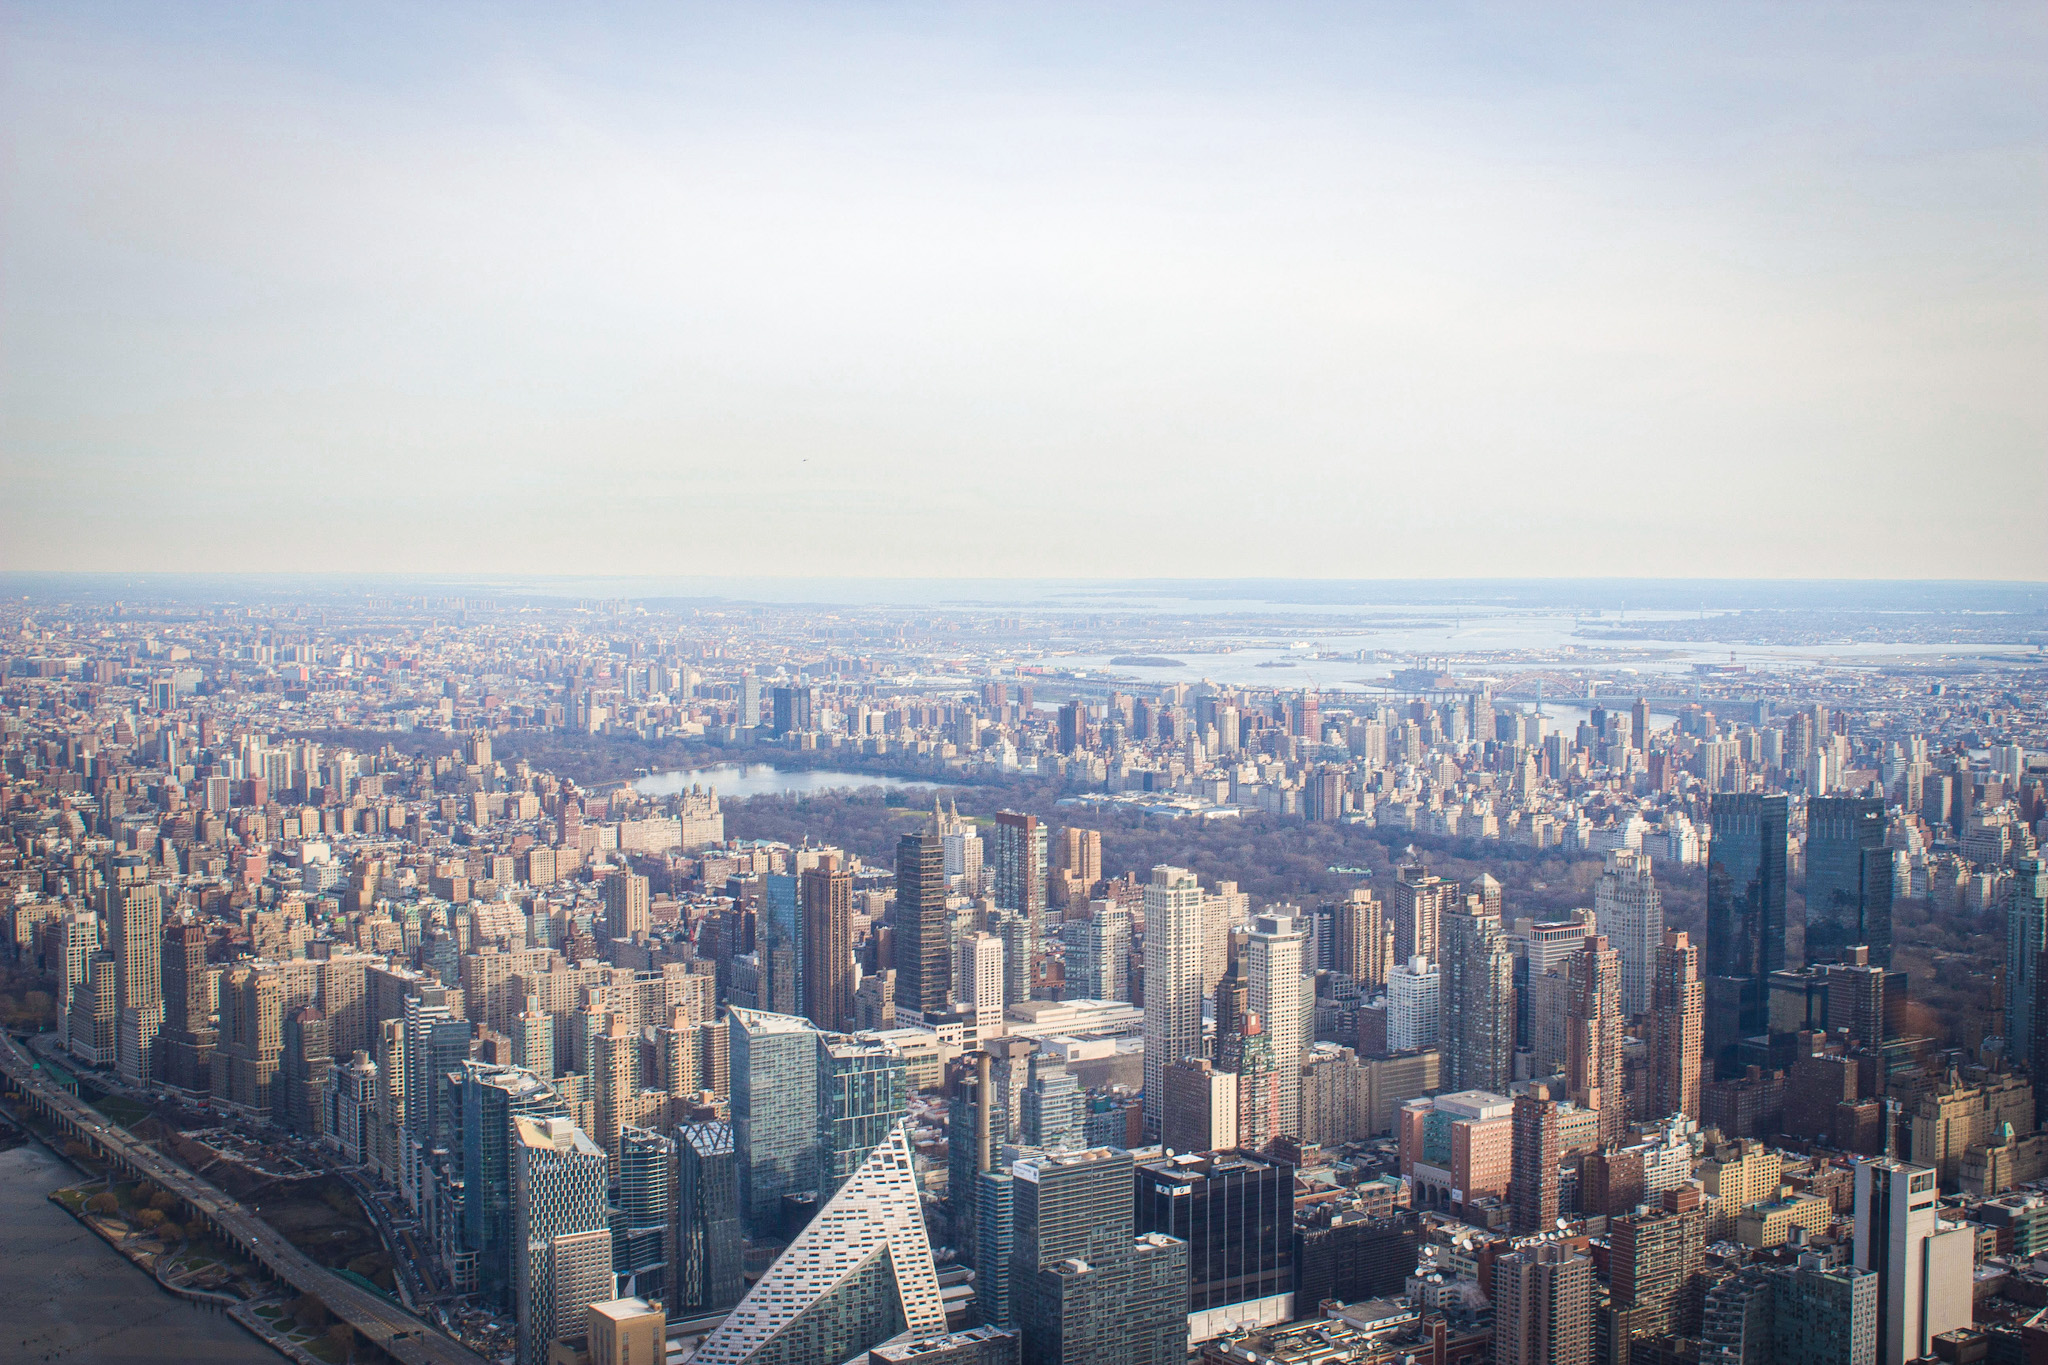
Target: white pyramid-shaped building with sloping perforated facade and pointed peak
(857, 1276)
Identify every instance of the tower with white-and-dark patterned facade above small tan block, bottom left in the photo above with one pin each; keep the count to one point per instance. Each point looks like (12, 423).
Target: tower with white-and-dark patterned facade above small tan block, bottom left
(562, 1239)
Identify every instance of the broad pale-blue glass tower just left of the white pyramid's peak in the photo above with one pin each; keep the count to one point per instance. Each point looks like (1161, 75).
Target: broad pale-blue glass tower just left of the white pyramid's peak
(775, 1114)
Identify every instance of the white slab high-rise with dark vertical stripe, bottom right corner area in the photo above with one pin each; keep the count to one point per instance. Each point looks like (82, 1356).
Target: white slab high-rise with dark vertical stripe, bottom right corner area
(1922, 1262)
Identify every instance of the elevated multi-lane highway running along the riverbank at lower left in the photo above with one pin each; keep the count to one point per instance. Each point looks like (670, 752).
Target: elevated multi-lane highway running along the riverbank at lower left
(382, 1321)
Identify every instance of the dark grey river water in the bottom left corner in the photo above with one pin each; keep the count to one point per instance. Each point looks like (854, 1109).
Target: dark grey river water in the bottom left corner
(71, 1298)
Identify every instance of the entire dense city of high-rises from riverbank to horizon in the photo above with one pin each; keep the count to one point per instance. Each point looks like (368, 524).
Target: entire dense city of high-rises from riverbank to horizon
(486, 975)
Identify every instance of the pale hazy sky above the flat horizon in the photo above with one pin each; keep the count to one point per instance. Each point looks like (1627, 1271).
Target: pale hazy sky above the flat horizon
(953, 290)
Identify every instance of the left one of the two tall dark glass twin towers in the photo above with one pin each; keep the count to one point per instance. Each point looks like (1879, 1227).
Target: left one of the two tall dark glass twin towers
(1746, 918)
